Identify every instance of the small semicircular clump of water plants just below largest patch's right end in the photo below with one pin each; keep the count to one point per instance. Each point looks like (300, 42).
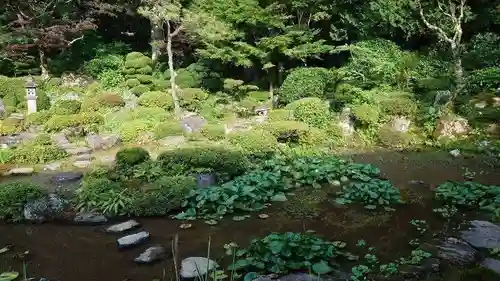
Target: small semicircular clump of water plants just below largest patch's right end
(370, 192)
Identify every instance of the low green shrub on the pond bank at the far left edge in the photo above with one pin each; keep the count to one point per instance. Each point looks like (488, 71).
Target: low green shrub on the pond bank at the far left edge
(13, 197)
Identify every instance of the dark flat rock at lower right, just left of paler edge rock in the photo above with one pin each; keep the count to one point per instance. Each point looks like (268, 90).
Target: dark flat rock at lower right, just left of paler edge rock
(457, 252)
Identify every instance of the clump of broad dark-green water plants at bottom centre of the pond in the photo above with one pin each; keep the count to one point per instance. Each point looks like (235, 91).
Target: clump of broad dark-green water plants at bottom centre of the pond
(285, 252)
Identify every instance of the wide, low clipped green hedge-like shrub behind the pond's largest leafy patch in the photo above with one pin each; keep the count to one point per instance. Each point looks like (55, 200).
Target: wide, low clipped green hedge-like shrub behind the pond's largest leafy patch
(219, 159)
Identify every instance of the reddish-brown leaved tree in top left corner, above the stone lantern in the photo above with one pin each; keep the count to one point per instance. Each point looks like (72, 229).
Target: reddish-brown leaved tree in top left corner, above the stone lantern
(47, 26)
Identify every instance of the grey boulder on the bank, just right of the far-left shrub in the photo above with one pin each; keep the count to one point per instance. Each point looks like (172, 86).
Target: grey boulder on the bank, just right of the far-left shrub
(45, 208)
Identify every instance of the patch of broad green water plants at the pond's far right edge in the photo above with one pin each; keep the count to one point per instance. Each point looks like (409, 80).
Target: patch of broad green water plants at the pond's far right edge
(470, 194)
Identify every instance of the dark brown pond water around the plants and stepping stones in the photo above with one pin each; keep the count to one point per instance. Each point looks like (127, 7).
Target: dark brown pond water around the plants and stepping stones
(86, 253)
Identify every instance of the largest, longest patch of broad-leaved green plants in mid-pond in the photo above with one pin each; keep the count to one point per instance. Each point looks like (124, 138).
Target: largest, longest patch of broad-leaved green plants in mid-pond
(270, 181)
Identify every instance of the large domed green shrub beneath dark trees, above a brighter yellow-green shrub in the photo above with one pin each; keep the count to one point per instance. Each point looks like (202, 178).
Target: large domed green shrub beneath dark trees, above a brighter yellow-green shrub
(304, 82)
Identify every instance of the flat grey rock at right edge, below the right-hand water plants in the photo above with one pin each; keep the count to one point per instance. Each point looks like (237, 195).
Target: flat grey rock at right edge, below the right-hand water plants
(482, 234)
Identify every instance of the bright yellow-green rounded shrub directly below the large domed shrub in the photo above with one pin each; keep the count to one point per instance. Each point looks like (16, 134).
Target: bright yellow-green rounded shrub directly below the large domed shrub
(312, 111)
